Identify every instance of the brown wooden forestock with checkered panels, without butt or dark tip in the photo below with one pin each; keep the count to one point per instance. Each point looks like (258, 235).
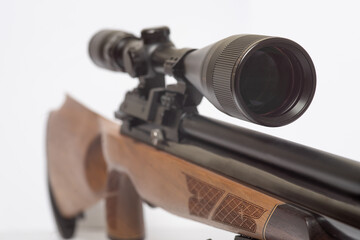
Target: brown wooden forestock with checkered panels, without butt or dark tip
(161, 179)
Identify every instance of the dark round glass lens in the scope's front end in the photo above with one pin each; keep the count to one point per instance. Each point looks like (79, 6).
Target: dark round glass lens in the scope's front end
(266, 81)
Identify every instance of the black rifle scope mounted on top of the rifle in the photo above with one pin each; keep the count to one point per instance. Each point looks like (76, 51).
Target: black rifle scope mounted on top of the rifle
(266, 80)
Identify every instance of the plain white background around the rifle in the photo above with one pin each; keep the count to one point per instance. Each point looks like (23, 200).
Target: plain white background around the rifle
(43, 55)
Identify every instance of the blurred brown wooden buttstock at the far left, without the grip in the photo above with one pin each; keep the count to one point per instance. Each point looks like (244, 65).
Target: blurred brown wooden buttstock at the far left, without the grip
(71, 148)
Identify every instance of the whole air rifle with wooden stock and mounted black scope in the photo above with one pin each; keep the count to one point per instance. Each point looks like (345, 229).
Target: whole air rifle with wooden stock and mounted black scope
(167, 155)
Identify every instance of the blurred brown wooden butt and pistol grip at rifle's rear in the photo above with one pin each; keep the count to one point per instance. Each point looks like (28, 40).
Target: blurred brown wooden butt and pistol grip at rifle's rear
(79, 175)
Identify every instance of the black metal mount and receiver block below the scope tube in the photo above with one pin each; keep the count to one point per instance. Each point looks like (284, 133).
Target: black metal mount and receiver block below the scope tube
(162, 111)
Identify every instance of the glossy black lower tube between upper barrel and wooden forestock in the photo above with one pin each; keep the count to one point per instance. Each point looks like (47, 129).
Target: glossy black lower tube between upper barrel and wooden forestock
(253, 173)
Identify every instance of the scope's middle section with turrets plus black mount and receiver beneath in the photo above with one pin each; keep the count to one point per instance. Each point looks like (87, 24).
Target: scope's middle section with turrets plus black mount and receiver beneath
(152, 102)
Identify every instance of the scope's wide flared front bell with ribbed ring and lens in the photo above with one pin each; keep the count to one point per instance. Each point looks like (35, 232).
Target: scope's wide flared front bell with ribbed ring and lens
(266, 80)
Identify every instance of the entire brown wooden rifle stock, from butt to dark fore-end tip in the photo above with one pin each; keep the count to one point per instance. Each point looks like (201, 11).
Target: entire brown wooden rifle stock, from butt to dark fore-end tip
(89, 160)
